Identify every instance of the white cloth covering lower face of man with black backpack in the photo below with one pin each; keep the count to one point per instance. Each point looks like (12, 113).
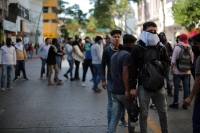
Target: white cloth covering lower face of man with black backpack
(149, 39)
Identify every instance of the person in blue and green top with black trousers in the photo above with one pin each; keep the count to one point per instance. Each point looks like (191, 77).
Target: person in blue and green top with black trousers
(88, 59)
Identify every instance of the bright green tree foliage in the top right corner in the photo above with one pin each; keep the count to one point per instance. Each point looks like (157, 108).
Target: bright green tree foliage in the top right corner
(186, 13)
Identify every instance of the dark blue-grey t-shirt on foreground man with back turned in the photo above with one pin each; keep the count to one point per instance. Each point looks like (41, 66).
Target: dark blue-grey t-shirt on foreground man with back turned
(118, 60)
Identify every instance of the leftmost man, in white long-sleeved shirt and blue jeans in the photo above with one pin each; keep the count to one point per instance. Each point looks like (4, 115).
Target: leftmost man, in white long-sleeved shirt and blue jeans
(7, 60)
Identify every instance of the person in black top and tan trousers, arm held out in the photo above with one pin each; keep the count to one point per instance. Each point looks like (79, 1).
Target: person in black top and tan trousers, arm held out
(51, 62)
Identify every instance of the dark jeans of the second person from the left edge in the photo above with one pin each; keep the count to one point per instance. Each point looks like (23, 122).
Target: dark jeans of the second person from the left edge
(20, 66)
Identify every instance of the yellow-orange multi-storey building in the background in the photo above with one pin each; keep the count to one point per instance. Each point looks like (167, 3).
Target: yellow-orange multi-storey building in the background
(50, 19)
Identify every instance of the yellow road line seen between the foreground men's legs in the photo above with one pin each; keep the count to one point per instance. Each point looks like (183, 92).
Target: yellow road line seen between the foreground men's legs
(151, 123)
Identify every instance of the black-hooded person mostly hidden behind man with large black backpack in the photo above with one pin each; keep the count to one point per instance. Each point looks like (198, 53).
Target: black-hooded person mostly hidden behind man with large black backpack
(168, 46)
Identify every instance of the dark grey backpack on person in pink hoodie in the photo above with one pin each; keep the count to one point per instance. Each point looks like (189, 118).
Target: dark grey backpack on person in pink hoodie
(183, 62)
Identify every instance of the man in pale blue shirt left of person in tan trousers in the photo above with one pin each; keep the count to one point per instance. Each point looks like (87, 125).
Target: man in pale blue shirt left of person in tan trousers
(43, 53)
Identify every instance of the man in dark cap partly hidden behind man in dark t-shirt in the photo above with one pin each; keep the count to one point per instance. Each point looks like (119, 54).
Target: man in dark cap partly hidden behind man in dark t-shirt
(106, 58)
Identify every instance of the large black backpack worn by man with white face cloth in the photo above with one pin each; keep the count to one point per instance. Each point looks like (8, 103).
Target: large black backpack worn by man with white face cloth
(152, 73)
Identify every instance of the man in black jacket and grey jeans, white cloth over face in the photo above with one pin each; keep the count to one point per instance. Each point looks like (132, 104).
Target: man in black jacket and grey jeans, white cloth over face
(148, 38)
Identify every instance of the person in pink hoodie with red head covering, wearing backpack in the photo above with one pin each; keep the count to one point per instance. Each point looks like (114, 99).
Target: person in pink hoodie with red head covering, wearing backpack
(180, 75)
